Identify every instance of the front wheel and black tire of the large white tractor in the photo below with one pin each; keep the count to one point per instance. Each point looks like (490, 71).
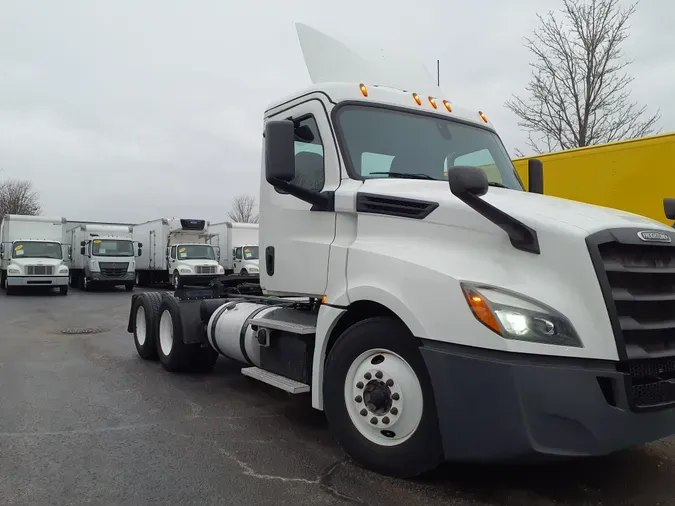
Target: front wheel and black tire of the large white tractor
(379, 401)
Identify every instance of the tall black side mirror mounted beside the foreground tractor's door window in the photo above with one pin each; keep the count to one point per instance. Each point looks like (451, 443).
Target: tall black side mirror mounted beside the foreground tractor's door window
(279, 151)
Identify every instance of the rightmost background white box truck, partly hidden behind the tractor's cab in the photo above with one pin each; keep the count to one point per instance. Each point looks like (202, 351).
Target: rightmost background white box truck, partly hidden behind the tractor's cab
(236, 246)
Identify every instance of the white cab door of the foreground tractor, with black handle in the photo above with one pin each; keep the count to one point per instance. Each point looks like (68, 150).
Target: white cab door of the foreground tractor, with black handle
(295, 239)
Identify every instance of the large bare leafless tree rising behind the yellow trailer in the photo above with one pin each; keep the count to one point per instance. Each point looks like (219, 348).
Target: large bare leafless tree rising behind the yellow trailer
(579, 93)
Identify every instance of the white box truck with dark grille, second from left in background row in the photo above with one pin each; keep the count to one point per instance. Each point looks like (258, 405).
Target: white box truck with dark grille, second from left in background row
(102, 255)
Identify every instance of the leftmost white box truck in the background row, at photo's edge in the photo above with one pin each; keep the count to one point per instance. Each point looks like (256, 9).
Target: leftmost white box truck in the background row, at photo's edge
(32, 253)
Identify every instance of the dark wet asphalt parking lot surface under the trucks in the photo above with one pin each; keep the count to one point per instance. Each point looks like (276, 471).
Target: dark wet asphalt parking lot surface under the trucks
(83, 420)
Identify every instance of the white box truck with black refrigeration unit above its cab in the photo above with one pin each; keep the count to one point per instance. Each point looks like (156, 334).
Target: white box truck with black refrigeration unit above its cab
(176, 250)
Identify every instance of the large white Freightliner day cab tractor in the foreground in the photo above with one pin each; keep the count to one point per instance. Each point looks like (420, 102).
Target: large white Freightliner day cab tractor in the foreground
(432, 318)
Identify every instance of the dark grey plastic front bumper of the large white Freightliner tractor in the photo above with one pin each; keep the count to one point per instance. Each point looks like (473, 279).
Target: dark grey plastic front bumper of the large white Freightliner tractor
(495, 406)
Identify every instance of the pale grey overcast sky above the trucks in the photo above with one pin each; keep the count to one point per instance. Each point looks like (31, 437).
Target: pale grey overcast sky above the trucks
(130, 110)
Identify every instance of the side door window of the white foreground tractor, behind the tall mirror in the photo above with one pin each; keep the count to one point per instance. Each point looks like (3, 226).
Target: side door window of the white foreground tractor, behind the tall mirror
(309, 156)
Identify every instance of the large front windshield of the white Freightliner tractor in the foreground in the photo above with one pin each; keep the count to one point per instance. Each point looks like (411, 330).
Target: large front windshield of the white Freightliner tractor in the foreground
(383, 142)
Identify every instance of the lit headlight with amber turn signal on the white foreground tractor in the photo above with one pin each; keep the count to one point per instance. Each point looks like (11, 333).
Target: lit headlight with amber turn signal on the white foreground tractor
(515, 317)
